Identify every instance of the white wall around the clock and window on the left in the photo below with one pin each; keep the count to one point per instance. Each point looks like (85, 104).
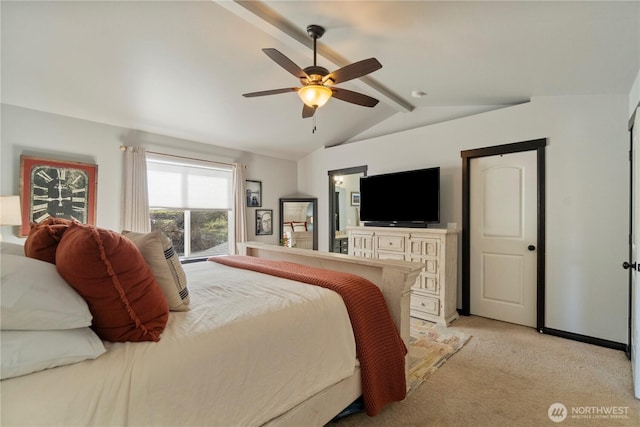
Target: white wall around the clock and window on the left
(41, 134)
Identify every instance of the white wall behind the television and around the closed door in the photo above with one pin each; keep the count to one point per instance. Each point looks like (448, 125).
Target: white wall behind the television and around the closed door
(587, 194)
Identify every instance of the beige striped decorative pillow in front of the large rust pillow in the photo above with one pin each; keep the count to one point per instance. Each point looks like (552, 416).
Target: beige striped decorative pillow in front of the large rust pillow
(157, 250)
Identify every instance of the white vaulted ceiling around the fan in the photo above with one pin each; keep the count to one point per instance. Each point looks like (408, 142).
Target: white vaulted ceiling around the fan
(179, 68)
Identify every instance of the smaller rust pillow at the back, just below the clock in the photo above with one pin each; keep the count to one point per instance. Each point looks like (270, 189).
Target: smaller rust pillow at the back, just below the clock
(43, 239)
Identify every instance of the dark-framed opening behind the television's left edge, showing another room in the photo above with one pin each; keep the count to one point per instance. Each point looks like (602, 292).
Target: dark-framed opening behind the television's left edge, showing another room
(344, 205)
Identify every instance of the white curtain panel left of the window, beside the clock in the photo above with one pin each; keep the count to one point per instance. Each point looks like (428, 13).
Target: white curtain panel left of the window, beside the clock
(135, 196)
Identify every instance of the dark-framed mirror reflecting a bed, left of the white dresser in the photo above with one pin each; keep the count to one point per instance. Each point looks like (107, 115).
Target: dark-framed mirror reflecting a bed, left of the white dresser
(298, 222)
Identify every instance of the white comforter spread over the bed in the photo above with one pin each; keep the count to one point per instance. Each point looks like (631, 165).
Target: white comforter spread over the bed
(251, 347)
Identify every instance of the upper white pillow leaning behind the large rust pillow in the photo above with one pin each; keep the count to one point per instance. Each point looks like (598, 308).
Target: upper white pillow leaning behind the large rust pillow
(35, 297)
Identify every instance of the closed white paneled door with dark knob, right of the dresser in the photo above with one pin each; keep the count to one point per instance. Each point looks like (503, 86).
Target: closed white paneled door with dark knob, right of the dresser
(503, 237)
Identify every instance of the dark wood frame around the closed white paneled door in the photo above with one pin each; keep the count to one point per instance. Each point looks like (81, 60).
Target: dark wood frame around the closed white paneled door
(537, 145)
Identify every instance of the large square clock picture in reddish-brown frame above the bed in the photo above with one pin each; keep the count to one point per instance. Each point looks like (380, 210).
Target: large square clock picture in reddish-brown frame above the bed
(57, 188)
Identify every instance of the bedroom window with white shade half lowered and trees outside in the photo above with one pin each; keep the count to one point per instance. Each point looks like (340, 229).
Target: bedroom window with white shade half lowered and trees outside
(191, 202)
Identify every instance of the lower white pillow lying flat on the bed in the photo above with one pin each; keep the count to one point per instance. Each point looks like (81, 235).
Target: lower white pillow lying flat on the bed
(24, 352)
